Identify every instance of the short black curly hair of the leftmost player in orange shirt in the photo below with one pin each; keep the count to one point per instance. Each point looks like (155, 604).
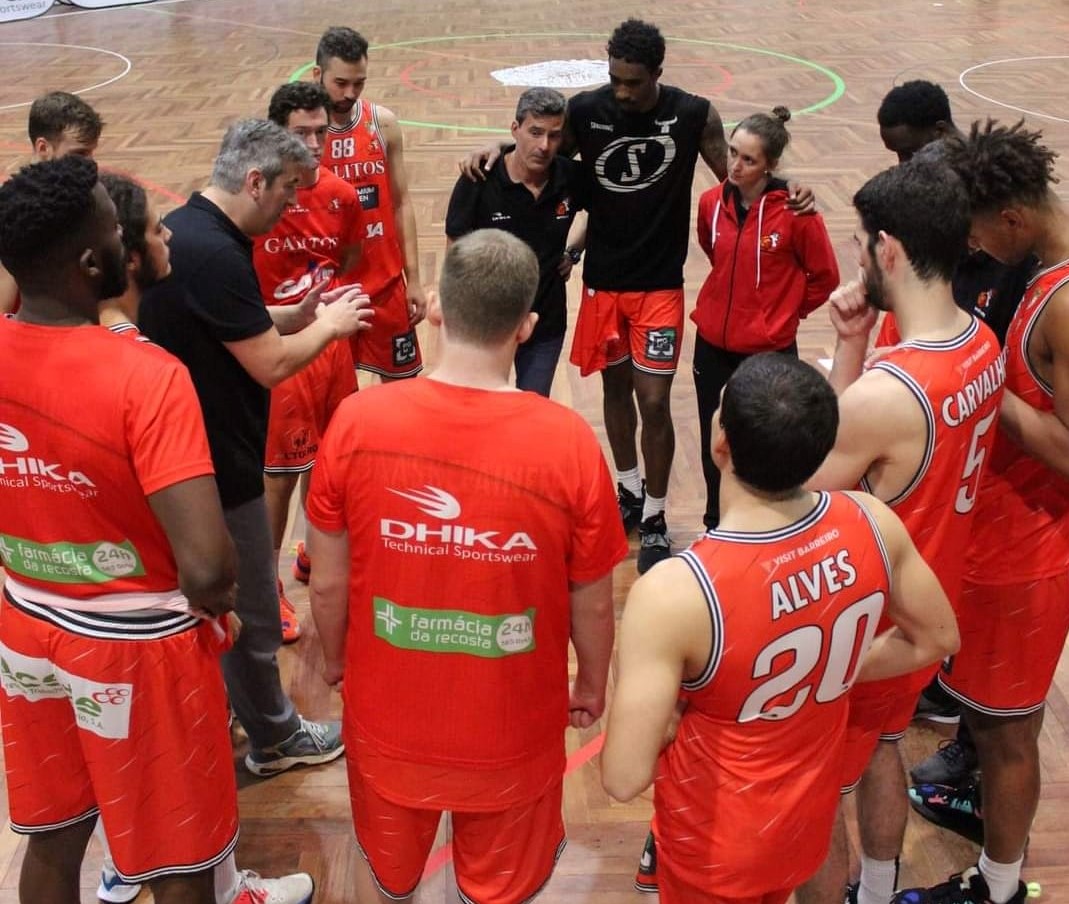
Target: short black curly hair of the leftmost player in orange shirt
(44, 212)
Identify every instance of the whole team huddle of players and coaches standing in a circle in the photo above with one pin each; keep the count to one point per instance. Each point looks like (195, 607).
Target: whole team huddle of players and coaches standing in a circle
(463, 529)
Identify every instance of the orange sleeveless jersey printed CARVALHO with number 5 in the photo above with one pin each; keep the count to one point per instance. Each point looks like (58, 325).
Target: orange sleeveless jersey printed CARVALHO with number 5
(958, 384)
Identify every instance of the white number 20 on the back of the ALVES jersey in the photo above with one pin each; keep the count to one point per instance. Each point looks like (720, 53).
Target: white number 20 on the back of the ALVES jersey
(804, 646)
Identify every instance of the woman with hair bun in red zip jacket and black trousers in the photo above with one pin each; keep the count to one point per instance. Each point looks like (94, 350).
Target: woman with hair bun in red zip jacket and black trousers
(771, 268)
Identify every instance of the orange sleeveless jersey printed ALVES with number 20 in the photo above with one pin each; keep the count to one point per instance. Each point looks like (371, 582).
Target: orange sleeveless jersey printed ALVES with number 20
(747, 794)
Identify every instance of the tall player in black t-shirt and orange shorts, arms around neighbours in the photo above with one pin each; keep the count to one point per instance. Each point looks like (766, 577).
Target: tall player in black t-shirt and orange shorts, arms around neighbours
(640, 142)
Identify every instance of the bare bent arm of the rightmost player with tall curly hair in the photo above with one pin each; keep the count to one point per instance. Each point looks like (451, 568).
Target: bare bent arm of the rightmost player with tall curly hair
(1046, 435)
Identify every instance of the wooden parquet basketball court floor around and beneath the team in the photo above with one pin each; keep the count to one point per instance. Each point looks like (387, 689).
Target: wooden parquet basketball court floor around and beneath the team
(169, 76)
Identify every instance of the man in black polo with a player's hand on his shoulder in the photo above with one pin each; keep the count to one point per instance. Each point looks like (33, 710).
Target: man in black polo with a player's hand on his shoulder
(535, 195)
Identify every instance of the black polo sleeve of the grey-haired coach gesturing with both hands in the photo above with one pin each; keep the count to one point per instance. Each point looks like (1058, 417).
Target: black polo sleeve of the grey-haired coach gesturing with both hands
(226, 298)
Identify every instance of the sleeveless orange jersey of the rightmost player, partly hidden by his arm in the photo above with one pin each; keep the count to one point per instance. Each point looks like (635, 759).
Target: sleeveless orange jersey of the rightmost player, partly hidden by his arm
(1024, 512)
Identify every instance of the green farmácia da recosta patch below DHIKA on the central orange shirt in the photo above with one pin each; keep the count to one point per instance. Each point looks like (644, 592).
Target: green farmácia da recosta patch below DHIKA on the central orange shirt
(454, 631)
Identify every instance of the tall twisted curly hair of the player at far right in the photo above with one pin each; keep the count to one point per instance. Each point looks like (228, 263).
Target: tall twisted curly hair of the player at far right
(1002, 165)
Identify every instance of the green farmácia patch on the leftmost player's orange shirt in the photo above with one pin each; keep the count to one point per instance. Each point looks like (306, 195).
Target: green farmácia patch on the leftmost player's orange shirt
(71, 563)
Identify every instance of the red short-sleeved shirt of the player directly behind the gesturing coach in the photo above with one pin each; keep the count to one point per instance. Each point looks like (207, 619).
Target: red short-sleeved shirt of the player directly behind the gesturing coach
(307, 244)
